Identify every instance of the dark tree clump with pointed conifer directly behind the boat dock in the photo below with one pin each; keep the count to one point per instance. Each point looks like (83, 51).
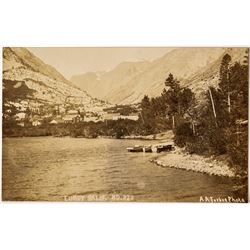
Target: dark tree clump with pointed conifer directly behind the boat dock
(174, 109)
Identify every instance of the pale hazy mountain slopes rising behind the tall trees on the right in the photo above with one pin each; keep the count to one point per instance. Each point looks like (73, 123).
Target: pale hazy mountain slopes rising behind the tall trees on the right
(136, 79)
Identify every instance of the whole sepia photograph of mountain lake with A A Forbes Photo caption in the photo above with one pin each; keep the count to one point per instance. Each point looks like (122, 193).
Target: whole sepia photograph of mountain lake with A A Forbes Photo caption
(125, 124)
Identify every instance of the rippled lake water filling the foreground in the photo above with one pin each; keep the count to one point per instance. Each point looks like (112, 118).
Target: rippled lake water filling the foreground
(55, 169)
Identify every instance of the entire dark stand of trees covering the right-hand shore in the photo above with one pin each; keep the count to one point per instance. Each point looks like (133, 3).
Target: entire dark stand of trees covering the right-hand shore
(217, 127)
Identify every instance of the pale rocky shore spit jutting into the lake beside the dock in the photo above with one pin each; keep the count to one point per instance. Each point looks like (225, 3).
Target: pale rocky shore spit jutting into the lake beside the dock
(181, 160)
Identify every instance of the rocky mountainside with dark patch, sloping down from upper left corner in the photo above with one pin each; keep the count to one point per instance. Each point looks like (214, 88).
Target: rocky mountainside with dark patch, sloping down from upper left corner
(25, 76)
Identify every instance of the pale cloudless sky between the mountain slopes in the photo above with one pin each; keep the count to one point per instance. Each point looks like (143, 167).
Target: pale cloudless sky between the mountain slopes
(71, 61)
